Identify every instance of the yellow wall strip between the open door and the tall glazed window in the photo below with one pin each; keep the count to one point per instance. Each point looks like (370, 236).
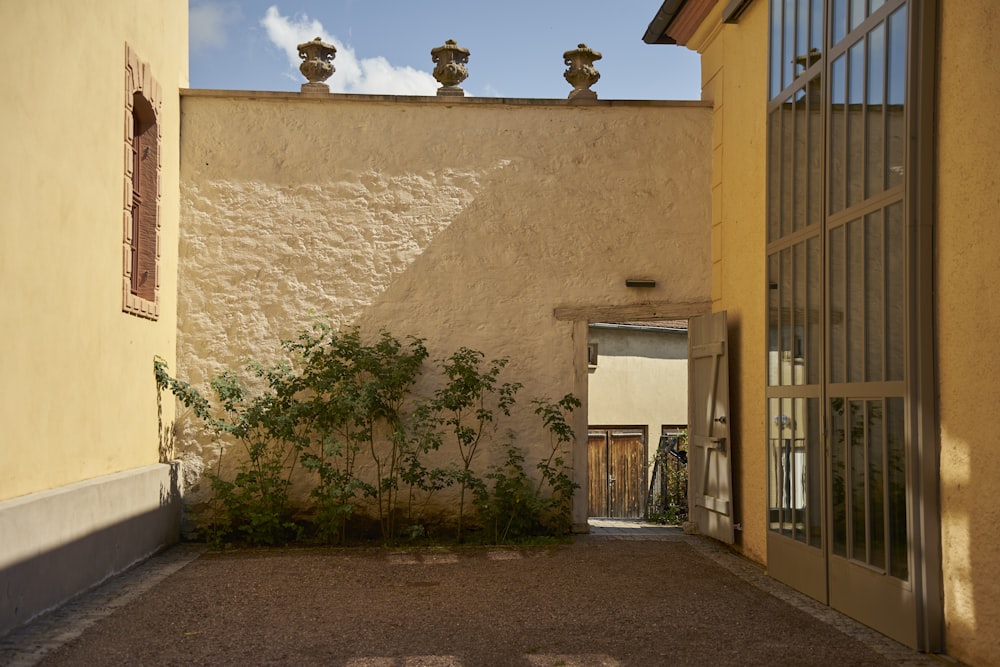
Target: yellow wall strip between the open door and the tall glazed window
(734, 78)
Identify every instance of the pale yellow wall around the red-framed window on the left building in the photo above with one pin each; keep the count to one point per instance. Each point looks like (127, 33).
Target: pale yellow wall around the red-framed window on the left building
(78, 397)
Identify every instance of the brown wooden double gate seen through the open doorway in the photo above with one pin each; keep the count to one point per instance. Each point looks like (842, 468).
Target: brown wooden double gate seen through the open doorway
(617, 465)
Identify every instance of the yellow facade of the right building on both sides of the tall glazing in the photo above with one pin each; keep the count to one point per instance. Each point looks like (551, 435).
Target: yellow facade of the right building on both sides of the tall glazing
(965, 267)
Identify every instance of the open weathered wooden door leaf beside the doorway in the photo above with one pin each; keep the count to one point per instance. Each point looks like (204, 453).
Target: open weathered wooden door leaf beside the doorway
(709, 463)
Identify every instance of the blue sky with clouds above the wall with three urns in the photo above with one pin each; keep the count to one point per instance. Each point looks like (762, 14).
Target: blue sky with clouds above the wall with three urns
(384, 46)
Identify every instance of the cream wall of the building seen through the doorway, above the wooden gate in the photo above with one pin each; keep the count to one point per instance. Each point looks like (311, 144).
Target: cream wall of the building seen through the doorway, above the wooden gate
(640, 380)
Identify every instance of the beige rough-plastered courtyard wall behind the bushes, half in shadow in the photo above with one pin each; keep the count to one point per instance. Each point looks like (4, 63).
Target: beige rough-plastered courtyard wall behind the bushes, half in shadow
(464, 222)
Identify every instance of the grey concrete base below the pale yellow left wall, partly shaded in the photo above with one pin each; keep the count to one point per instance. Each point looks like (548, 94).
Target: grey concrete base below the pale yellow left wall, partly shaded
(56, 544)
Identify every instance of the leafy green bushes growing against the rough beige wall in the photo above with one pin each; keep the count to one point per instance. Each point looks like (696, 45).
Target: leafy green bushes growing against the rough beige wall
(341, 407)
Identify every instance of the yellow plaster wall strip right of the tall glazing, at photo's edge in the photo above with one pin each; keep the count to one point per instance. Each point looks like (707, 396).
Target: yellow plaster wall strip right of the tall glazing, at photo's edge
(967, 320)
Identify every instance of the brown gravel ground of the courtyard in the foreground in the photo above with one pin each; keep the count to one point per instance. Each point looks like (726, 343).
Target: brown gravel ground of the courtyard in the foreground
(599, 601)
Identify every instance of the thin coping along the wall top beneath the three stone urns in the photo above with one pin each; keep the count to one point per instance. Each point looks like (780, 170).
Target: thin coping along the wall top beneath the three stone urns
(428, 99)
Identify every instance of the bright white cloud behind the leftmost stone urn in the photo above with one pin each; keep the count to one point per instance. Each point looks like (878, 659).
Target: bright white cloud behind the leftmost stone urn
(375, 76)
